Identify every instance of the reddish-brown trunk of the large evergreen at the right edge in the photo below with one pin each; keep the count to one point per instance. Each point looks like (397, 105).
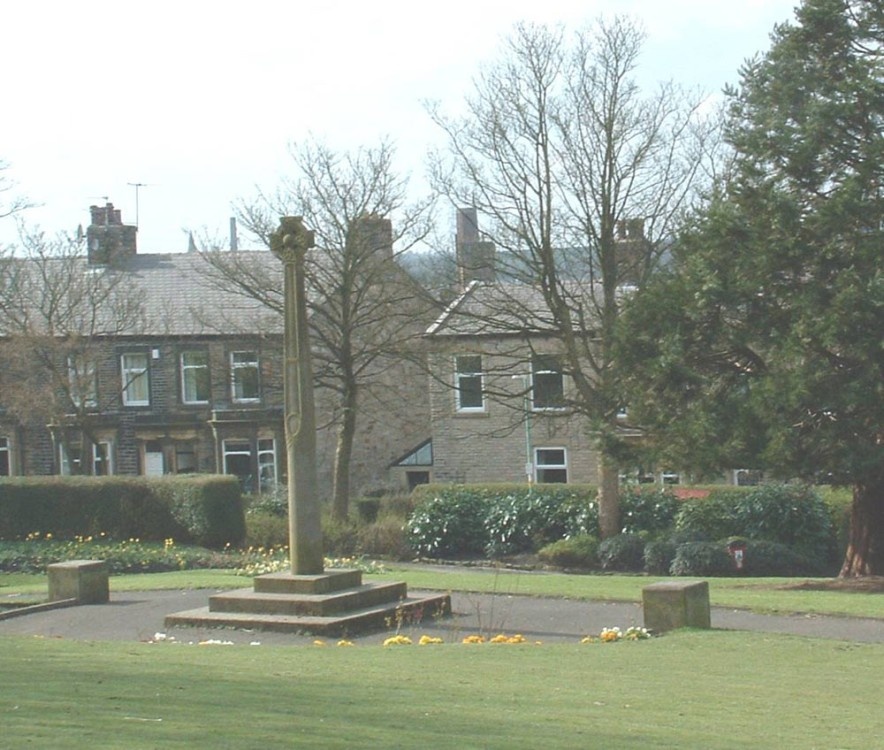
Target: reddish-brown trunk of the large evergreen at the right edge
(865, 547)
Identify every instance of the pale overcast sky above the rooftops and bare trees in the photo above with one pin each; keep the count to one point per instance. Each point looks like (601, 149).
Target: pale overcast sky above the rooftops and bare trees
(199, 101)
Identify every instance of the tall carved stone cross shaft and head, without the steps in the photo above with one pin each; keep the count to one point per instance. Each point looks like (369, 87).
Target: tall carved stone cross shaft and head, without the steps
(290, 244)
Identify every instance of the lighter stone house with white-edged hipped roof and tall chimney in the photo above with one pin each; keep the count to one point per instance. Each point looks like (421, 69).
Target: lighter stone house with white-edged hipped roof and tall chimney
(498, 392)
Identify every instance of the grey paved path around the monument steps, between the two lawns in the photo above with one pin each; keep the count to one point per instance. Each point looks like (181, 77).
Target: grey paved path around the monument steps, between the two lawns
(138, 616)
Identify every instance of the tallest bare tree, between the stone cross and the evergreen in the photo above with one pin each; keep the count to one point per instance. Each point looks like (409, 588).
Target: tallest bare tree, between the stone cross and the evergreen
(579, 178)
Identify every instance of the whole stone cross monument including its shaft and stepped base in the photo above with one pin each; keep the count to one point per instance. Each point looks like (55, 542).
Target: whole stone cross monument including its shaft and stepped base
(307, 599)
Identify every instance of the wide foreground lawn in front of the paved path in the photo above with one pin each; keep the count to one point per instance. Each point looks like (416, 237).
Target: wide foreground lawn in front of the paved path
(690, 689)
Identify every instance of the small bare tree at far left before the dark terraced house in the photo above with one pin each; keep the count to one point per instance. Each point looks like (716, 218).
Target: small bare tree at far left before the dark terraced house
(56, 313)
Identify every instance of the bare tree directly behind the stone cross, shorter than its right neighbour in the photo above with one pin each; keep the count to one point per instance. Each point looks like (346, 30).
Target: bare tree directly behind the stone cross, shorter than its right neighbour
(362, 306)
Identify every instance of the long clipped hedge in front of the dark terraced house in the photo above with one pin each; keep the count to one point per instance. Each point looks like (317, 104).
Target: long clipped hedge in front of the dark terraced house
(195, 509)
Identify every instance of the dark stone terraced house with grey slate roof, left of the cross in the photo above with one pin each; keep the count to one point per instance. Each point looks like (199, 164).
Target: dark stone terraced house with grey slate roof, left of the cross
(195, 383)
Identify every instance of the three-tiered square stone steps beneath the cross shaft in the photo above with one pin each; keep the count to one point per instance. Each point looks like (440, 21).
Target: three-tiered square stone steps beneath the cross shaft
(335, 603)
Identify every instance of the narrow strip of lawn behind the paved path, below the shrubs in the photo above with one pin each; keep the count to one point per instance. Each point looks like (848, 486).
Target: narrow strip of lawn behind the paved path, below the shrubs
(758, 594)
